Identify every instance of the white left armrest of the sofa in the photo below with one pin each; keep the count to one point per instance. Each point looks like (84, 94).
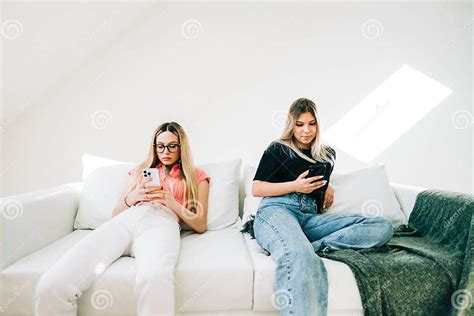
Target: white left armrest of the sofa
(30, 221)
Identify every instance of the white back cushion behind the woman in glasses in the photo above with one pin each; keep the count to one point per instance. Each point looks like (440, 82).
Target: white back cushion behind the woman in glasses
(105, 180)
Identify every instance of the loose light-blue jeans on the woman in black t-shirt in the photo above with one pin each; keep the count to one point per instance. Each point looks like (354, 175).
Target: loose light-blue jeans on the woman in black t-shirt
(288, 227)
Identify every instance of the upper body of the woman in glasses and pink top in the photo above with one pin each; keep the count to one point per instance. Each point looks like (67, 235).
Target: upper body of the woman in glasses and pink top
(182, 189)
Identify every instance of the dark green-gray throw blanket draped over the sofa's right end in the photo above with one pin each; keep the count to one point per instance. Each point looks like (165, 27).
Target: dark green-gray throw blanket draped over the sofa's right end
(426, 268)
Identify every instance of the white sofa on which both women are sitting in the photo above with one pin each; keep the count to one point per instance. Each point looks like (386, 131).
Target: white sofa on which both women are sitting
(220, 272)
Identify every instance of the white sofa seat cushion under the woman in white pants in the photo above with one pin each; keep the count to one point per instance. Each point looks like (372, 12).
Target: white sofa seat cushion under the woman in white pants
(212, 265)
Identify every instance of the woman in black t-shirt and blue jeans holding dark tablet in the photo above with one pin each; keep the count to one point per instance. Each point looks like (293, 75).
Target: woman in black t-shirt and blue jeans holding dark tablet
(290, 223)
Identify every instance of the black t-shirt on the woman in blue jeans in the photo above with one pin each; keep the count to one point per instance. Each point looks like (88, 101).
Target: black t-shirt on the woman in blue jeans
(276, 165)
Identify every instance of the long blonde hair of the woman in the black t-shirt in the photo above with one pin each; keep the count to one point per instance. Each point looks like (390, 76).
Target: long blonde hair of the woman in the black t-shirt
(319, 152)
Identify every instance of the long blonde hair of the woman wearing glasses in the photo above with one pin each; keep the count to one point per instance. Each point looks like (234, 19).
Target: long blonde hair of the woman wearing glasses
(187, 166)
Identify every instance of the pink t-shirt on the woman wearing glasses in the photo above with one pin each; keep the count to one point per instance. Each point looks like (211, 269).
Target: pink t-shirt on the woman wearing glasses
(173, 182)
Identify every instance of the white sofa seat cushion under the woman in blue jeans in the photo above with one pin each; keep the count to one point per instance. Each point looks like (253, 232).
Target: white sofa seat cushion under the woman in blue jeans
(343, 293)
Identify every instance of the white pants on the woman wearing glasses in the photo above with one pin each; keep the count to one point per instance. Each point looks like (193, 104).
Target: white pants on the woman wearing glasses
(153, 236)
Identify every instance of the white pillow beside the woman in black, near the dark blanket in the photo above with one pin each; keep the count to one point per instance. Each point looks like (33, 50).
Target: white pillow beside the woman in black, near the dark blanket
(366, 191)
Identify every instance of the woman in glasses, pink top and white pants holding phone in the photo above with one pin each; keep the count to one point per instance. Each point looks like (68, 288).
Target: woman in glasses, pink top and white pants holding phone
(146, 224)
